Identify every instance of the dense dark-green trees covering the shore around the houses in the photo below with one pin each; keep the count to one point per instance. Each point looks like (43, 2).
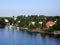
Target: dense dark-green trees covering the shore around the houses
(25, 21)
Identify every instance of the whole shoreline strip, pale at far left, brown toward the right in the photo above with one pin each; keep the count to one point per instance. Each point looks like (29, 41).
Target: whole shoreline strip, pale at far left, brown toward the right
(37, 30)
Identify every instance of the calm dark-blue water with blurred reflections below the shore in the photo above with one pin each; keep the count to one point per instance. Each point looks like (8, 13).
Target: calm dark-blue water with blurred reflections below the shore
(18, 37)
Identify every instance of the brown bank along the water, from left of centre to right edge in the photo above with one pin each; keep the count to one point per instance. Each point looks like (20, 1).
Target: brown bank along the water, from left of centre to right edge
(39, 31)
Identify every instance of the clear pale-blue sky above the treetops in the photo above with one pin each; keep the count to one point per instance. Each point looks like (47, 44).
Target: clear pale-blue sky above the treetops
(29, 7)
